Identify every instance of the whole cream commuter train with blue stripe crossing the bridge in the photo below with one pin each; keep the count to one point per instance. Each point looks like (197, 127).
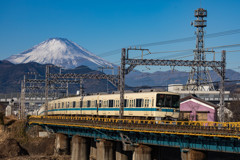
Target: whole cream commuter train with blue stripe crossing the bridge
(138, 105)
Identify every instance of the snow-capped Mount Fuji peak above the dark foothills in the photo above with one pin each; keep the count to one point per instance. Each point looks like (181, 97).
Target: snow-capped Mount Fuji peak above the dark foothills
(60, 52)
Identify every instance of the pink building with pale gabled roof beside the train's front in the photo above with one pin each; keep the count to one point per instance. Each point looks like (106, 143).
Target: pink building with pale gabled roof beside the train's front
(196, 109)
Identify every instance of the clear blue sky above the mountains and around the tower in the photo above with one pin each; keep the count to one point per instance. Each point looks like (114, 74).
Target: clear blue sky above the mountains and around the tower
(102, 26)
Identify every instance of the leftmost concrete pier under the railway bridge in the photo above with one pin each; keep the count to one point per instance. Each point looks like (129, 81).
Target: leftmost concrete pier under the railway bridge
(62, 144)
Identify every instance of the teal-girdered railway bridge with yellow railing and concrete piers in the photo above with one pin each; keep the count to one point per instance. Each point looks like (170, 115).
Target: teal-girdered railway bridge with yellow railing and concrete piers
(123, 139)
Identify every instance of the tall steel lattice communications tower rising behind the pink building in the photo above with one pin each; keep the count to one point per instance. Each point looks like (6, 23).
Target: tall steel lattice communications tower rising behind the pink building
(200, 74)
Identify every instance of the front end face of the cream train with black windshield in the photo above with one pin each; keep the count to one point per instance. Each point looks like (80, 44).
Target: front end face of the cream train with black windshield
(167, 106)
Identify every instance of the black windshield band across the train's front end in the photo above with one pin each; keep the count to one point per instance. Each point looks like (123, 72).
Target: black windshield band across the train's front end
(167, 101)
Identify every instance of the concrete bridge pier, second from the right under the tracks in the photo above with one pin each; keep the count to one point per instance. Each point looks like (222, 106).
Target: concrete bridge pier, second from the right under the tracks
(142, 152)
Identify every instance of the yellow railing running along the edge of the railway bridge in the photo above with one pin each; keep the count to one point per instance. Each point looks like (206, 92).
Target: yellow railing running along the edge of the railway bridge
(227, 126)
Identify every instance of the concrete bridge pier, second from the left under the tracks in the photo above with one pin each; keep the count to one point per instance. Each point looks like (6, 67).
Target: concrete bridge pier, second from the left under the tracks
(79, 148)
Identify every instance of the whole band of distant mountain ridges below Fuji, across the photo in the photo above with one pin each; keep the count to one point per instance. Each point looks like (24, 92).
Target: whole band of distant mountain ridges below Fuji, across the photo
(12, 74)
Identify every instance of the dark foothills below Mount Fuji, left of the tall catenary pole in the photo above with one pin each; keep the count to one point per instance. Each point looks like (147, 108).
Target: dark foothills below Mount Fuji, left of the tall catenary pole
(12, 74)
